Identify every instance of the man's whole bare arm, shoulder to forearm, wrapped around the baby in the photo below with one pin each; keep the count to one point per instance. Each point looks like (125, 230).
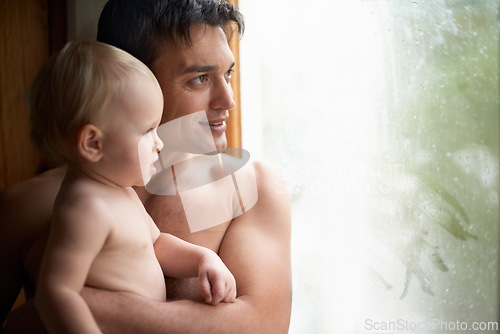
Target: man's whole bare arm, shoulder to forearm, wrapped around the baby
(256, 249)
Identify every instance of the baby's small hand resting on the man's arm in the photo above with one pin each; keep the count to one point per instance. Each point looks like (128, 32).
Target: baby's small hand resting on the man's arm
(216, 281)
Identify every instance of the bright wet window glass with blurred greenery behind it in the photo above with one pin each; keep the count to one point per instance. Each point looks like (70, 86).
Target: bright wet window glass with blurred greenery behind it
(383, 116)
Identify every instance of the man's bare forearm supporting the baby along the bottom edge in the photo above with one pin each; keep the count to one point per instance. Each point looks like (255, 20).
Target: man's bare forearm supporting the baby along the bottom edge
(118, 312)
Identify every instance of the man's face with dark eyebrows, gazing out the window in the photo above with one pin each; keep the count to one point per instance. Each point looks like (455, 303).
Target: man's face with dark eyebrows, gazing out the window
(197, 77)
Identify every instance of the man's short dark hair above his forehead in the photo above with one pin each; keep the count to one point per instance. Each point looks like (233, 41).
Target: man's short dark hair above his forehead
(141, 27)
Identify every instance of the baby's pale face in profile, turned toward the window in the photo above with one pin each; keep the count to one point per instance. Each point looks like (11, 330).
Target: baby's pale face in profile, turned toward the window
(131, 142)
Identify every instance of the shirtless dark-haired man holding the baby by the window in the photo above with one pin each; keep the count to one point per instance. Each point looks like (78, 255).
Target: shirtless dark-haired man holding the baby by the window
(185, 43)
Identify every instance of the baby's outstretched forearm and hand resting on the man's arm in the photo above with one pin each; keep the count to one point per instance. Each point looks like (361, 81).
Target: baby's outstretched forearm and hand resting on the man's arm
(181, 259)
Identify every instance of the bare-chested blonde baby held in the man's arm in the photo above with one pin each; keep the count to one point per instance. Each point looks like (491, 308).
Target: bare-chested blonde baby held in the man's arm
(96, 109)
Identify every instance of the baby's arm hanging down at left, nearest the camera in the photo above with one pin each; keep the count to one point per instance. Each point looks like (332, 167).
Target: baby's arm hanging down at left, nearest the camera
(77, 235)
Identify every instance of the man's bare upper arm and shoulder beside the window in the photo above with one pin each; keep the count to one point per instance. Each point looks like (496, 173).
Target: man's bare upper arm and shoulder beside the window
(256, 249)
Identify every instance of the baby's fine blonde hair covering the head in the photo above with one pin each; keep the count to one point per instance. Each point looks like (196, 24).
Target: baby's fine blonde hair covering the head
(74, 88)
